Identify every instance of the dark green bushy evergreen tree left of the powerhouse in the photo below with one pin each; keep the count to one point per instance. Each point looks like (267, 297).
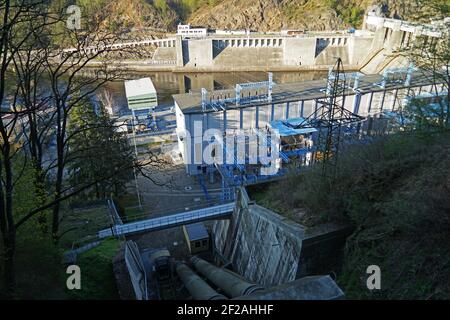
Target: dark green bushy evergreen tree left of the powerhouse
(95, 134)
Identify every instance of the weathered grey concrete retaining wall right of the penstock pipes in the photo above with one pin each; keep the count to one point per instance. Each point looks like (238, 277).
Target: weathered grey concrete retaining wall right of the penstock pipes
(269, 249)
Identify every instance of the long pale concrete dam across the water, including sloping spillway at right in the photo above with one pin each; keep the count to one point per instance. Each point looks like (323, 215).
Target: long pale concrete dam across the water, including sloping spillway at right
(372, 49)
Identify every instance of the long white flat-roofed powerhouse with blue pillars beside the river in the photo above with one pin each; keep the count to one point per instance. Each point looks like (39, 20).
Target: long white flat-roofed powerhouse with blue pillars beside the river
(224, 110)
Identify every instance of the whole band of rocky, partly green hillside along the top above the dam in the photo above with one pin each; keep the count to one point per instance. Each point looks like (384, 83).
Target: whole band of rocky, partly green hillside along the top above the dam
(261, 15)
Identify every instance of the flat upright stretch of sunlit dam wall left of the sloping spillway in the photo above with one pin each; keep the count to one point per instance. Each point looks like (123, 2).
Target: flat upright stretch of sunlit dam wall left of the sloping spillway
(282, 53)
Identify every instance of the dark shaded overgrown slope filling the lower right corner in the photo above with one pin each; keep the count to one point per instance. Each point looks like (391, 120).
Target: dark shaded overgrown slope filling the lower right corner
(395, 193)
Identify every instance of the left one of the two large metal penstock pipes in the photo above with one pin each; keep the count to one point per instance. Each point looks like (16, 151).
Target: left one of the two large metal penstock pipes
(196, 286)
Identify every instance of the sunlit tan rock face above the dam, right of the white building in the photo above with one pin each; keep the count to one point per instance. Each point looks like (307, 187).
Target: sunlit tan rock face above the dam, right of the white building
(272, 15)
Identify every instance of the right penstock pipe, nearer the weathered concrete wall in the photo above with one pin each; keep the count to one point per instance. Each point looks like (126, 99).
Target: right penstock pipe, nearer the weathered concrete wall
(233, 285)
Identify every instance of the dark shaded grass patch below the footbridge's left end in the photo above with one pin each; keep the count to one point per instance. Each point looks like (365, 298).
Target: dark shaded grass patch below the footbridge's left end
(97, 277)
